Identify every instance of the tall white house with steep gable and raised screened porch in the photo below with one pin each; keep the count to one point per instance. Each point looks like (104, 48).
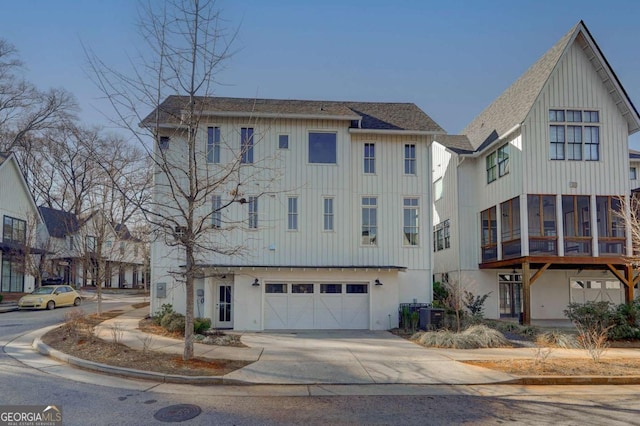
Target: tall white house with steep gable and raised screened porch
(525, 201)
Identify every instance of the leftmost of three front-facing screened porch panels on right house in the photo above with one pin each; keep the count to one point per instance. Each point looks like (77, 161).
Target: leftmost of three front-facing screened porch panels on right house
(541, 213)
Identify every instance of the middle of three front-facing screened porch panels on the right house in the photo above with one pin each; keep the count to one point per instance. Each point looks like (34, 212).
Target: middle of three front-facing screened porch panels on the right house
(577, 225)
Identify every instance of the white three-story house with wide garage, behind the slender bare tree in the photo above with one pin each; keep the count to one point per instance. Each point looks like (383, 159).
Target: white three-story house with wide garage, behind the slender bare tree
(338, 241)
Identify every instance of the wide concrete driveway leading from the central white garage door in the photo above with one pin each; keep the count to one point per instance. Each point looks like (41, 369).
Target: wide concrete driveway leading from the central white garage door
(353, 357)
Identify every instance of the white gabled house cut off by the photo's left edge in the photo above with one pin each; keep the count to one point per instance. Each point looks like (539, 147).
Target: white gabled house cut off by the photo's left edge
(20, 224)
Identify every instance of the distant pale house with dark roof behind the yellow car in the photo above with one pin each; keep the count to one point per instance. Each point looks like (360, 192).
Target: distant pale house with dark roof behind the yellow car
(76, 245)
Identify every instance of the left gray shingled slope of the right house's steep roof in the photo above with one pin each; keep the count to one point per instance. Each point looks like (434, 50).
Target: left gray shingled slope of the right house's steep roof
(512, 107)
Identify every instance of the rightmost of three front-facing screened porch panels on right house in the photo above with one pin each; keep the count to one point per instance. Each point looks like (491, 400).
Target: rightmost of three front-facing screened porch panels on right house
(611, 231)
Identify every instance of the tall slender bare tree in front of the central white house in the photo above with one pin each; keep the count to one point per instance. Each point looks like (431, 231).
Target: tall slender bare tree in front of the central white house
(186, 45)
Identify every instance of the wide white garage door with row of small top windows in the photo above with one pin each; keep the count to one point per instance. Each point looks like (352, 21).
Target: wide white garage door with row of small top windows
(326, 306)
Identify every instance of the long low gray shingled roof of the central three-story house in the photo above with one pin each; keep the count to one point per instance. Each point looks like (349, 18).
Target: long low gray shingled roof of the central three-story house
(374, 115)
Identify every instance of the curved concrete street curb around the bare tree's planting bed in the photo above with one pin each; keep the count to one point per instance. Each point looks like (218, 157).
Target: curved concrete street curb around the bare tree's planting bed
(42, 348)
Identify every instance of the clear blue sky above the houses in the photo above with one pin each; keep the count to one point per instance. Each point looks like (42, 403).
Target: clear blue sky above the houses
(452, 58)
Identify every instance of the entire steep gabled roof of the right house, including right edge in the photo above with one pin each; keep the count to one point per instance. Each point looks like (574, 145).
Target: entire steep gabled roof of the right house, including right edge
(511, 108)
